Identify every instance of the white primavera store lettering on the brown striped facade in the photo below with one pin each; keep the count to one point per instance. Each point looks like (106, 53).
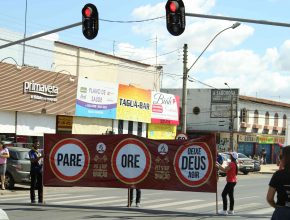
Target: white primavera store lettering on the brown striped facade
(41, 92)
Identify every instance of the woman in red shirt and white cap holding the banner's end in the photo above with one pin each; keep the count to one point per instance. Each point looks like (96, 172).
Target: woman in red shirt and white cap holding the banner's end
(231, 171)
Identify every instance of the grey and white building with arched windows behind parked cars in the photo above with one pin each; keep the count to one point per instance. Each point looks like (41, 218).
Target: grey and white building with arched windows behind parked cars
(254, 123)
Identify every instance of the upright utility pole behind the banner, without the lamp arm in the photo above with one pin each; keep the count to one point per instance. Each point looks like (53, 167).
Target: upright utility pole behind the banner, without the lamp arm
(184, 90)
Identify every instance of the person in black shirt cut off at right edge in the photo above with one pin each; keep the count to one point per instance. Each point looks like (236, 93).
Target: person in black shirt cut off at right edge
(280, 184)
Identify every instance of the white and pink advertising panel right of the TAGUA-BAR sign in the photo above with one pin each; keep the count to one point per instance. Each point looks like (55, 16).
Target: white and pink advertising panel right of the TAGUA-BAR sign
(165, 108)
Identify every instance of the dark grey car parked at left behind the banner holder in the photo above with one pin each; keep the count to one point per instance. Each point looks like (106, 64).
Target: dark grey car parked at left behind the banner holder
(18, 167)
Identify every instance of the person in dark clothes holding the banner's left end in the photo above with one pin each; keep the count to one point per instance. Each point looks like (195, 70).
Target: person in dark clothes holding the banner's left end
(36, 173)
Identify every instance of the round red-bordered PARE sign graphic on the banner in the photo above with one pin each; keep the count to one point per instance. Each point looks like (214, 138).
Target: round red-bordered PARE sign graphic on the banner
(69, 160)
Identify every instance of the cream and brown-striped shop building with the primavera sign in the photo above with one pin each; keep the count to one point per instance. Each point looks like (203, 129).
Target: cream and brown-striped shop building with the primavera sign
(39, 97)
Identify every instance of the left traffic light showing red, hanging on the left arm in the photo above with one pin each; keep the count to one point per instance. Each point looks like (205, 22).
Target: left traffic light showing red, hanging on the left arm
(90, 21)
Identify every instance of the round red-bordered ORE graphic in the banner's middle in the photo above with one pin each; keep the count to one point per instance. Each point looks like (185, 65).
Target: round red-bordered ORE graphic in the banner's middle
(131, 161)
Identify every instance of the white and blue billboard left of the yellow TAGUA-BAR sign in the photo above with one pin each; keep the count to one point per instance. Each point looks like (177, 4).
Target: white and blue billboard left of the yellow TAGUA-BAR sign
(96, 99)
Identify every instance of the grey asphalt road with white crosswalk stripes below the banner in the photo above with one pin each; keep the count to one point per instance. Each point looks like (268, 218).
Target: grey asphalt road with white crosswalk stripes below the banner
(105, 203)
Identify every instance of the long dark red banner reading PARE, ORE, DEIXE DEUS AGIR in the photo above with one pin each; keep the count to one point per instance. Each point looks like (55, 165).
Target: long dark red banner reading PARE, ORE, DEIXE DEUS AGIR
(124, 161)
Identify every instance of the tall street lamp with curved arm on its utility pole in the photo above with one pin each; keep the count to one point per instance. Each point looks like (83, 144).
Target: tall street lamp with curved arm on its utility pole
(185, 75)
